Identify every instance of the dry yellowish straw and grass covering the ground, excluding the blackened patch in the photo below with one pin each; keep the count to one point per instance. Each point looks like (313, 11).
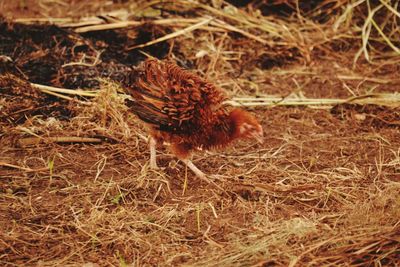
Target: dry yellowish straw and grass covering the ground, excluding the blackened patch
(323, 190)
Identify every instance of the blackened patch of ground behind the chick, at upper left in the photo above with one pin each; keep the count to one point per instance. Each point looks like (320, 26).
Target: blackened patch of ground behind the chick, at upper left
(49, 55)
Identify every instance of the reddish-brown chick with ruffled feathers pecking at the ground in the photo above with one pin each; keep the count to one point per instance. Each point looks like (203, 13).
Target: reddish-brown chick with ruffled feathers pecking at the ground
(186, 111)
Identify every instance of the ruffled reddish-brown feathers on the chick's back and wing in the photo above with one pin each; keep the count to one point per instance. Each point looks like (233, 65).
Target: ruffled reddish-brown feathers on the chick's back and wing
(171, 99)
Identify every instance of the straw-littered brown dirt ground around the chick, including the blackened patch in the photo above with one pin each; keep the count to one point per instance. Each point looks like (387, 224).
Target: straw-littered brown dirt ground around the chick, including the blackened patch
(75, 188)
